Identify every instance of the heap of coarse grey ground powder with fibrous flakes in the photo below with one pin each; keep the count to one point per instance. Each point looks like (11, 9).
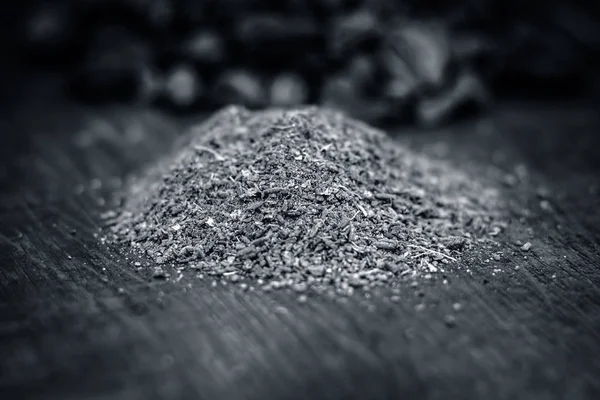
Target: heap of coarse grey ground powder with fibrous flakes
(305, 198)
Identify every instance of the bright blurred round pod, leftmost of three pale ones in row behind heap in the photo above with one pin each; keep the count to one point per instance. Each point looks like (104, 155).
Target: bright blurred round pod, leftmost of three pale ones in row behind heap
(182, 86)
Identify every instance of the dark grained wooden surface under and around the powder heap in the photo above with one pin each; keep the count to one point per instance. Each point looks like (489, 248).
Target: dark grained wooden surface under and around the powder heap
(78, 321)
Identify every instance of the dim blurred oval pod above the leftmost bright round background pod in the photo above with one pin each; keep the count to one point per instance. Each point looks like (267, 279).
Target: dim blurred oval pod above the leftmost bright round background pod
(206, 48)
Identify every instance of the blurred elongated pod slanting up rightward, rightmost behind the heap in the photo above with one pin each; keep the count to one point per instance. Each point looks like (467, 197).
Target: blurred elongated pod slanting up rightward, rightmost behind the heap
(466, 95)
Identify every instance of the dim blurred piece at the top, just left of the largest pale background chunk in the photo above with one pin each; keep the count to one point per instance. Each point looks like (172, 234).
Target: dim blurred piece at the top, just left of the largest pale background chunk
(352, 33)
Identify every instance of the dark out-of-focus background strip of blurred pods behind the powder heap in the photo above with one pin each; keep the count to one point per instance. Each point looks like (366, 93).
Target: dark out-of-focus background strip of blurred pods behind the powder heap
(417, 62)
